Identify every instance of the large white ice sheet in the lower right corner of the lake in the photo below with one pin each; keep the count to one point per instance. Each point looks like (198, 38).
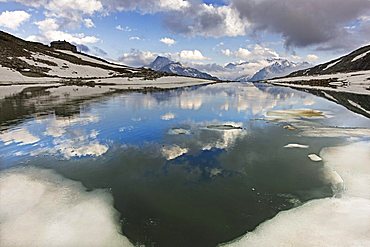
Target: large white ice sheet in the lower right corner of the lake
(326, 222)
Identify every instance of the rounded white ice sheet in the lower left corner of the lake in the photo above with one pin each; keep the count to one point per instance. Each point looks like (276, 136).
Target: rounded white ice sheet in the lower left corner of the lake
(40, 208)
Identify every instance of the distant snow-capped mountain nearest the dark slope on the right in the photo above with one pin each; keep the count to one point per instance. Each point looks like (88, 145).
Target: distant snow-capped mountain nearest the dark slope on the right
(278, 68)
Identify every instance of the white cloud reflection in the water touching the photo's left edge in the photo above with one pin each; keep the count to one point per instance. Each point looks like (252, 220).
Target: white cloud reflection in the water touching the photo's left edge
(21, 136)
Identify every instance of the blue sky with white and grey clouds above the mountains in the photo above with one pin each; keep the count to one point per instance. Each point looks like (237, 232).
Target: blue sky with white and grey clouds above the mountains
(207, 34)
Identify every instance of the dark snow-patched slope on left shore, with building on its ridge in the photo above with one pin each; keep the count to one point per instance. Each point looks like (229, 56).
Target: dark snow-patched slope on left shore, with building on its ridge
(24, 59)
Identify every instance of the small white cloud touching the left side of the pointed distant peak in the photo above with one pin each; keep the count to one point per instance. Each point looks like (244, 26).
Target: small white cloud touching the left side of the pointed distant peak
(137, 58)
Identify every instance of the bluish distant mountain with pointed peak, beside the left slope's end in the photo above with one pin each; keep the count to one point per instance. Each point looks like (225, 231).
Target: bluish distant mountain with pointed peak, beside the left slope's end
(163, 64)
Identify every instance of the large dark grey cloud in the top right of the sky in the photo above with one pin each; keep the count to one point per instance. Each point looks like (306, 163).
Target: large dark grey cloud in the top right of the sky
(302, 23)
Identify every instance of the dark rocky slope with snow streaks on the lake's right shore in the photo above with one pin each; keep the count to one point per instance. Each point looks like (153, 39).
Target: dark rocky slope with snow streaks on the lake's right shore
(358, 60)
